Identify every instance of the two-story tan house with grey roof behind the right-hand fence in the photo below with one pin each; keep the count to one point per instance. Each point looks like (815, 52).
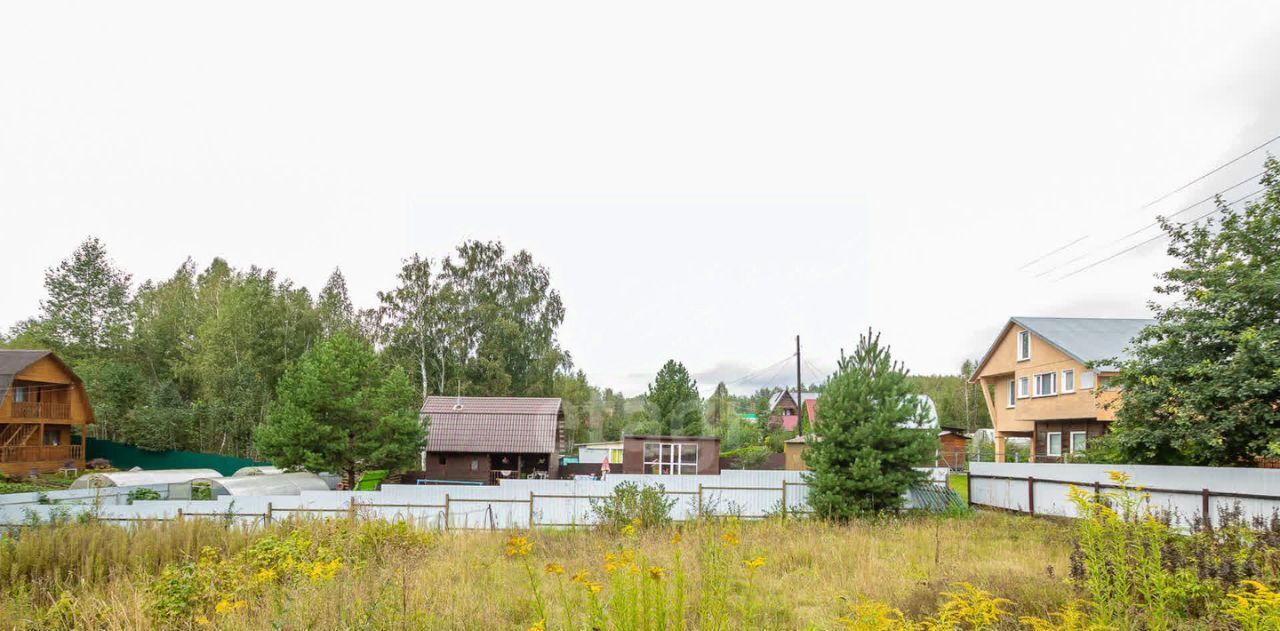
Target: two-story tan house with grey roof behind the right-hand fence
(1039, 385)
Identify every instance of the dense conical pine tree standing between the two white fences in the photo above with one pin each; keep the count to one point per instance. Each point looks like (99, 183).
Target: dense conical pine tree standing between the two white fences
(865, 445)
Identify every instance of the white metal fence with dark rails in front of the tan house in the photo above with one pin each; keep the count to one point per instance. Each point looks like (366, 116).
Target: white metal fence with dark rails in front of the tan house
(1187, 493)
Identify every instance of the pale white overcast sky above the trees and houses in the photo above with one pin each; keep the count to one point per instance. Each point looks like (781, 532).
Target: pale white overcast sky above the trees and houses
(705, 180)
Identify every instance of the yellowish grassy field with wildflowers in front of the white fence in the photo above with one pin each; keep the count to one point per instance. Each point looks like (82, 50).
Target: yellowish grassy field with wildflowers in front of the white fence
(342, 575)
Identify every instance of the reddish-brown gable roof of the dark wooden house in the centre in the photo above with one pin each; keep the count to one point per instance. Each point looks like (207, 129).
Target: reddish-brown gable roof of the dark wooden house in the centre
(492, 424)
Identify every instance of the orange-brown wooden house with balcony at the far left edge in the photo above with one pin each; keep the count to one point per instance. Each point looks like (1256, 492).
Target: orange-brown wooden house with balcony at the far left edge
(42, 400)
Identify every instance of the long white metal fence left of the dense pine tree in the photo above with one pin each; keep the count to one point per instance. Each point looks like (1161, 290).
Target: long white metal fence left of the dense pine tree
(514, 504)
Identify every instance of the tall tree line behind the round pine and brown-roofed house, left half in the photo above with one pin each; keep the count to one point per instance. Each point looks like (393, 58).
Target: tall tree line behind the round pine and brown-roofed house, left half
(194, 362)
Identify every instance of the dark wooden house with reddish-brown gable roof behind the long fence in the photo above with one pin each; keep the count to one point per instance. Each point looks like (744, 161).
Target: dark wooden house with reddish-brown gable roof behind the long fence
(491, 438)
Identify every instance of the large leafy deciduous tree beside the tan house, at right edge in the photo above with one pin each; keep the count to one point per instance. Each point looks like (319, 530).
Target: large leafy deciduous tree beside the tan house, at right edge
(1204, 383)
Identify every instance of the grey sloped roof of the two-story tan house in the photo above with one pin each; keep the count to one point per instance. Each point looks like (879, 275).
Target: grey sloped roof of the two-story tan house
(1089, 339)
